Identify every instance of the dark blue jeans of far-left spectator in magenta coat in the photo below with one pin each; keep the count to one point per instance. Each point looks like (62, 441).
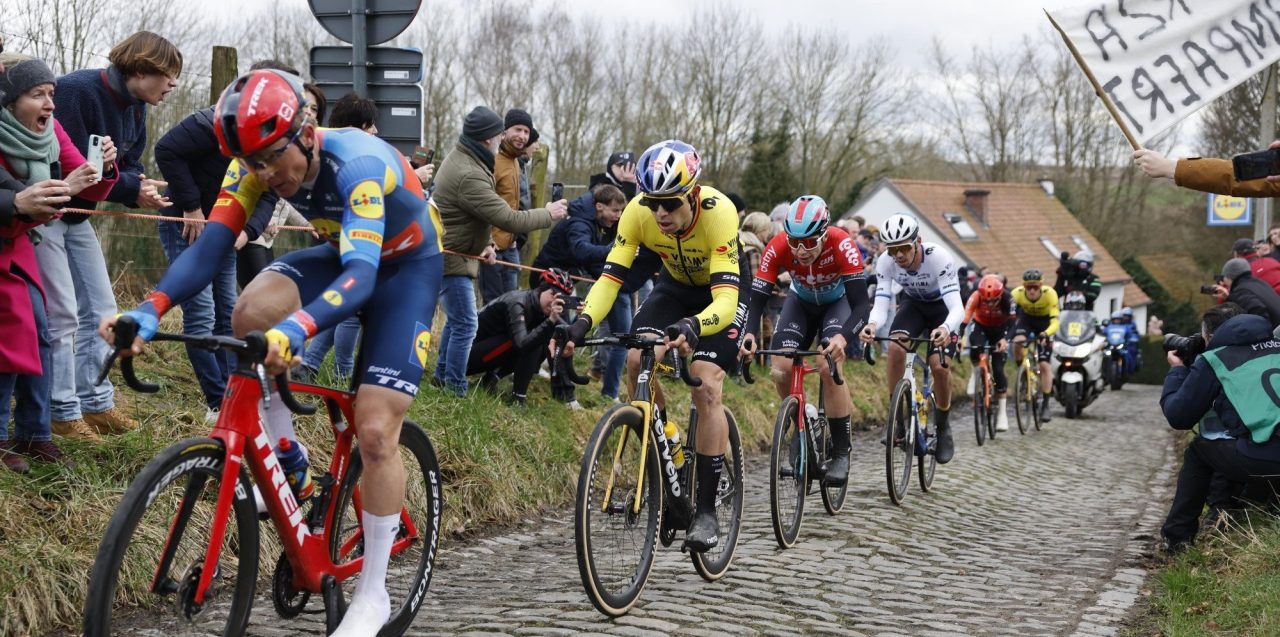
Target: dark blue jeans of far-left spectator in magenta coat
(31, 418)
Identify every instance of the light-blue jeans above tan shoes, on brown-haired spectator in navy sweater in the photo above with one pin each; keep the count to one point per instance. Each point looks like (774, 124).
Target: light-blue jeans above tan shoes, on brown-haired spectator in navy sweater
(79, 292)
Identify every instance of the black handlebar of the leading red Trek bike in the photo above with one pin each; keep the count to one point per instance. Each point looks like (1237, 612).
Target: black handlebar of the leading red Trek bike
(253, 349)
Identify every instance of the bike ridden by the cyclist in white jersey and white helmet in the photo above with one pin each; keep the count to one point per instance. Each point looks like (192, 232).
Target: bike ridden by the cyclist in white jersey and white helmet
(909, 434)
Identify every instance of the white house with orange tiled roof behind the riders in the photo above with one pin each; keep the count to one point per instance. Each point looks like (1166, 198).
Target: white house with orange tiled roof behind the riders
(1005, 227)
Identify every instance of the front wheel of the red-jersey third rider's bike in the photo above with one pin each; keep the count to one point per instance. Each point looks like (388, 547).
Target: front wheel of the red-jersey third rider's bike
(789, 474)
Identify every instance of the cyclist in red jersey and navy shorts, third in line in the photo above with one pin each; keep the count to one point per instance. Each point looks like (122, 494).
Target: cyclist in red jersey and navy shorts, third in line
(829, 297)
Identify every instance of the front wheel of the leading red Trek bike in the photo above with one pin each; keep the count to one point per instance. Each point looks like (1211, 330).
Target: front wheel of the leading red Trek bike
(122, 579)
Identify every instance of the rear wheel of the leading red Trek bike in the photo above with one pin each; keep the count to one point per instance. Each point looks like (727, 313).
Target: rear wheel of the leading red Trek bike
(409, 575)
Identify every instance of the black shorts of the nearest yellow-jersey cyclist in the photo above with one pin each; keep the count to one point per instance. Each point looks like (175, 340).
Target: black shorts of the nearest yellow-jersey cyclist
(673, 301)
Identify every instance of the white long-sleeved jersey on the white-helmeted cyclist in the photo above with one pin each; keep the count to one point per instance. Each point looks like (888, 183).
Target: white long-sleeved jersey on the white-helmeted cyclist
(935, 281)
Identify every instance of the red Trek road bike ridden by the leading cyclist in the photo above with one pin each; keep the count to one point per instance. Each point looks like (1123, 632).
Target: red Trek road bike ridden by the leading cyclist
(188, 530)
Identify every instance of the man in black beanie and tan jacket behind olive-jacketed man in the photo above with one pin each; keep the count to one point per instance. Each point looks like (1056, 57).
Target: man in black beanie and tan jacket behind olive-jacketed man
(497, 281)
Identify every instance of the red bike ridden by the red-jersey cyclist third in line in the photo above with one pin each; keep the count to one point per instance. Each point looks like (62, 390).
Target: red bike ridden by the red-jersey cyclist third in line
(802, 450)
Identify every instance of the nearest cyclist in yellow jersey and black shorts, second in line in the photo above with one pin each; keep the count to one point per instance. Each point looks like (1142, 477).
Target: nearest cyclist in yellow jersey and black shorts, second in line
(694, 231)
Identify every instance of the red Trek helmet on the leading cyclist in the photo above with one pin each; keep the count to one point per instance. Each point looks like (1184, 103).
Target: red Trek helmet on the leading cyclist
(259, 109)
